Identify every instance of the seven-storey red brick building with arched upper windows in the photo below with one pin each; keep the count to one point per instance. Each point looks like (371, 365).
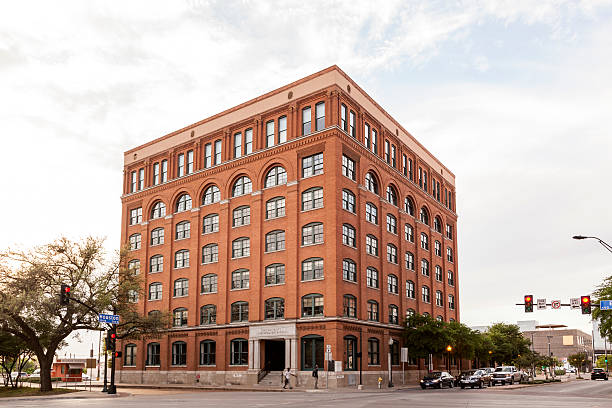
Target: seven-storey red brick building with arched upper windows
(301, 219)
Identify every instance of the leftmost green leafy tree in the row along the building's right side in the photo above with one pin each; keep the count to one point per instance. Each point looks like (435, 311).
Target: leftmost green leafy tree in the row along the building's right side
(424, 335)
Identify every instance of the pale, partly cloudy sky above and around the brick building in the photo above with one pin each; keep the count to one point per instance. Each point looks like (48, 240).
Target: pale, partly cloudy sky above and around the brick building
(513, 96)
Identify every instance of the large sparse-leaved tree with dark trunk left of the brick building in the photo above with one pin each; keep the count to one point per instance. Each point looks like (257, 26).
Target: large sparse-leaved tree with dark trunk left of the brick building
(30, 309)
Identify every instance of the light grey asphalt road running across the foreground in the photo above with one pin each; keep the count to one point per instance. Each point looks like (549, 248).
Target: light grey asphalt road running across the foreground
(572, 394)
